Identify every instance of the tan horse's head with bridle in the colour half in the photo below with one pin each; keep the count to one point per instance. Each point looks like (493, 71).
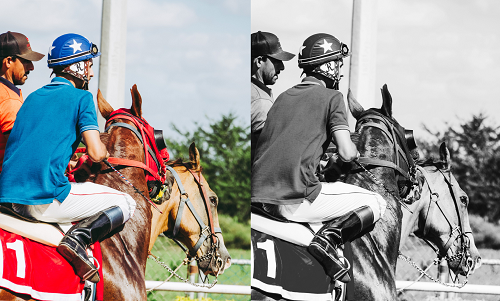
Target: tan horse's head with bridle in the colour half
(190, 216)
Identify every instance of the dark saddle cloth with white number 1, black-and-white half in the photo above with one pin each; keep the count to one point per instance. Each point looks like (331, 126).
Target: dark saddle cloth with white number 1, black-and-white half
(287, 269)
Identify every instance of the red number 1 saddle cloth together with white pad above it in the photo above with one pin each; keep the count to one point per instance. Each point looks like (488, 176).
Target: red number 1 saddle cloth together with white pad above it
(30, 263)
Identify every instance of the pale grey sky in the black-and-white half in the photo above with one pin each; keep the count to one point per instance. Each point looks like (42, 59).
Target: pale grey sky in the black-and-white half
(440, 59)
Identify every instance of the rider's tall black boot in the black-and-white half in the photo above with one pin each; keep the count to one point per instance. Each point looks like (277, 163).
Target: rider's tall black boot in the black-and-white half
(334, 233)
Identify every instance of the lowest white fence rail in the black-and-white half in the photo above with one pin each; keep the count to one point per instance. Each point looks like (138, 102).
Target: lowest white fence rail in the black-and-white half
(436, 287)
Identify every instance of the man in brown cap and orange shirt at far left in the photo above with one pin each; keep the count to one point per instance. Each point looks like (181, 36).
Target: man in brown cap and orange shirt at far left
(16, 59)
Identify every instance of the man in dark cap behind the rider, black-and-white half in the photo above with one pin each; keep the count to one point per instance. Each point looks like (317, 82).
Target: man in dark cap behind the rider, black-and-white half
(267, 62)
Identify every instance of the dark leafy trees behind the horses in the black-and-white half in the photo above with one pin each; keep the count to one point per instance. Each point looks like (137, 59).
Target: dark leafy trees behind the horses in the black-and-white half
(475, 152)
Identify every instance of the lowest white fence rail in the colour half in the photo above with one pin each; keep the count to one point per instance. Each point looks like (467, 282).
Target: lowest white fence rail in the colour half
(186, 287)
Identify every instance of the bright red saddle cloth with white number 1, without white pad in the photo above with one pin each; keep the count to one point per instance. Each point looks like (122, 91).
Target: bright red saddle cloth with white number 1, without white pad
(32, 268)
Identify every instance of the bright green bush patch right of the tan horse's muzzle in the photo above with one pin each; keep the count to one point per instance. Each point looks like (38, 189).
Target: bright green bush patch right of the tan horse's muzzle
(236, 235)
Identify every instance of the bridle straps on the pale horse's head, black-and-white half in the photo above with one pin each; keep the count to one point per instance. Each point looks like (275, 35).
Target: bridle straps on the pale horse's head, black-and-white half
(457, 231)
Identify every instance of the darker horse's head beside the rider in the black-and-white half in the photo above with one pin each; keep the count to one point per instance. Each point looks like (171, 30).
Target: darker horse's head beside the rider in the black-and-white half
(382, 142)
